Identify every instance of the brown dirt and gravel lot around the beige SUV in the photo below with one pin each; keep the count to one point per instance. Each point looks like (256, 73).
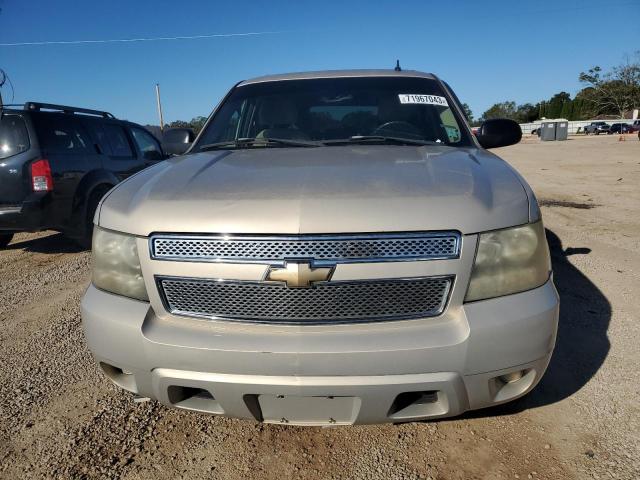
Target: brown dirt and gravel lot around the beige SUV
(59, 417)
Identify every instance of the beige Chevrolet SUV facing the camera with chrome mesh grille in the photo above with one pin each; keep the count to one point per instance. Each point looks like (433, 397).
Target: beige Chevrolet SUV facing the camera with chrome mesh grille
(336, 248)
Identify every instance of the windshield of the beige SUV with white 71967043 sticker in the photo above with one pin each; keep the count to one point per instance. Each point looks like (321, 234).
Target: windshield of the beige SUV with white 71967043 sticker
(337, 108)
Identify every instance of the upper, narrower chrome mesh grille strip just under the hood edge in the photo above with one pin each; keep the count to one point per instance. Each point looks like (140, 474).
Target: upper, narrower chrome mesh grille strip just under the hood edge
(335, 249)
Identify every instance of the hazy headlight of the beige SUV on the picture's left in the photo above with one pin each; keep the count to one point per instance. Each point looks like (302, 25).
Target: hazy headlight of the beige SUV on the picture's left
(116, 266)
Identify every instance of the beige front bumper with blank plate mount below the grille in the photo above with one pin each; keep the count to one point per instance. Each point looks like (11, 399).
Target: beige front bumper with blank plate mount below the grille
(372, 373)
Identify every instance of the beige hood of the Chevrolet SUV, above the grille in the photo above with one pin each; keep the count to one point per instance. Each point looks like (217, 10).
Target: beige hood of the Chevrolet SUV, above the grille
(341, 189)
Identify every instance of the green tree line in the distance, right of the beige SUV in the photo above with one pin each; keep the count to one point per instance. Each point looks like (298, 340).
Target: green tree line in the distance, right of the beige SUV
(614, 92)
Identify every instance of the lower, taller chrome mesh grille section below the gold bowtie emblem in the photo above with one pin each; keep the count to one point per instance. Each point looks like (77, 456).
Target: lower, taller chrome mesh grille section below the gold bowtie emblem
(330, 302)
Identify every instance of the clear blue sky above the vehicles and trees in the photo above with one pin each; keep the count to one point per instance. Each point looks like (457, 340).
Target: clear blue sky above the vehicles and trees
(488, 51)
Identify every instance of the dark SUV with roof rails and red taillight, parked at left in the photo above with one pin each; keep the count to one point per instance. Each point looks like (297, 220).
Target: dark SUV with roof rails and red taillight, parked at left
(57, 162)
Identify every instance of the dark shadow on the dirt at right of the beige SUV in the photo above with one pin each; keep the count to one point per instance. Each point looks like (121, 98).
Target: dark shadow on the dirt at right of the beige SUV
(582, 344)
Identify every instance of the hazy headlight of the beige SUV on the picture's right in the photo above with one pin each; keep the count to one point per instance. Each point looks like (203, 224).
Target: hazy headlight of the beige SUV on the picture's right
(509, 261)
